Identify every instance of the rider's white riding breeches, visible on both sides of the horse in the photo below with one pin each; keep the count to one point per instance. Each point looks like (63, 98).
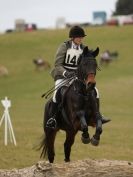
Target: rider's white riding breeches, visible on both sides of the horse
(60, 82)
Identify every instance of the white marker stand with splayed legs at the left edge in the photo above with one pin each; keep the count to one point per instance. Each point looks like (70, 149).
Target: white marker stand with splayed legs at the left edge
(8, 125)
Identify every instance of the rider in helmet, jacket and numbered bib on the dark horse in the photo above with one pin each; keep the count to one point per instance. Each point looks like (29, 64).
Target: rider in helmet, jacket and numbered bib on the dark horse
(65, 64)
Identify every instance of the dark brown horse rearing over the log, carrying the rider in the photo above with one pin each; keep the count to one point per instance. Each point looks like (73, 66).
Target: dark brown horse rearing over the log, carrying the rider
(77, 109)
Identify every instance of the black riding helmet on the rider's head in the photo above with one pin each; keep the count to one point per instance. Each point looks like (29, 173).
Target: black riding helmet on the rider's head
(76, 31)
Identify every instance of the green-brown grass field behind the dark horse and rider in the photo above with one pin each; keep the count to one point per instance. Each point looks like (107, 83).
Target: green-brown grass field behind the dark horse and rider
(24, 87)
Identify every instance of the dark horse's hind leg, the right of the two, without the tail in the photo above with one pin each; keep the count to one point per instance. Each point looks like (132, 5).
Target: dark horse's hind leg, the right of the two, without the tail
(70, 137)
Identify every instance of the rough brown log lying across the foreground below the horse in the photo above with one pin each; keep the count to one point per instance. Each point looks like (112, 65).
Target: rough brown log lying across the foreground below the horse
(81, 168)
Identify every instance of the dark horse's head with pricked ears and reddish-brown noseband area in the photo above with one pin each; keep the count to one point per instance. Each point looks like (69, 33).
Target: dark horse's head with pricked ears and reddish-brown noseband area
(88, 65)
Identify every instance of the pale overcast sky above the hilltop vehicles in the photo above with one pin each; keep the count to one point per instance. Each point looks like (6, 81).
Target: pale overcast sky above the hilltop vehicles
(46, 12)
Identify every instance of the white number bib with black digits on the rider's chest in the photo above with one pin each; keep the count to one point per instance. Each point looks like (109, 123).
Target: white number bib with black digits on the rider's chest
(72, 56)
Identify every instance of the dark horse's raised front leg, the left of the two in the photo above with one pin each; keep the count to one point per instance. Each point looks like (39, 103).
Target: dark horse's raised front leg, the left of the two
(84, 127)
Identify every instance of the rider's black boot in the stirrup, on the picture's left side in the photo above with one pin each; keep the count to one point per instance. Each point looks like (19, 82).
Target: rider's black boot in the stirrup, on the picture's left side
(51, 123)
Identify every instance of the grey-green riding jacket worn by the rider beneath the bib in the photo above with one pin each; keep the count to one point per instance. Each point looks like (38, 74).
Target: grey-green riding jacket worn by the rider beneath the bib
(57, 71)
